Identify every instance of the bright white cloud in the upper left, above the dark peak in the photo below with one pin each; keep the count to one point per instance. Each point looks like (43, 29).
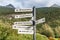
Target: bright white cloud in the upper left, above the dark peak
(13, 2)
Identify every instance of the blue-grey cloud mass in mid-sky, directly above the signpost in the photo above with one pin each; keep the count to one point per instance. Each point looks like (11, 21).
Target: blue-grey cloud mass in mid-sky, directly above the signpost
(31, 3)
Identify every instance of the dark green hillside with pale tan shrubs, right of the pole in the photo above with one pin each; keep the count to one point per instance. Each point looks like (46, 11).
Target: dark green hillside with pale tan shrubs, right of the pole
(52, 23)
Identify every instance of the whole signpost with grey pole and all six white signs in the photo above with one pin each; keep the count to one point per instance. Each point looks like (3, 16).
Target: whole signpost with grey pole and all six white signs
(21, 26)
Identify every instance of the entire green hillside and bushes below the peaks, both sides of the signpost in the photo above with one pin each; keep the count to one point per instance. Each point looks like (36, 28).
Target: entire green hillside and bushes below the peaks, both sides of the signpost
(51, 28)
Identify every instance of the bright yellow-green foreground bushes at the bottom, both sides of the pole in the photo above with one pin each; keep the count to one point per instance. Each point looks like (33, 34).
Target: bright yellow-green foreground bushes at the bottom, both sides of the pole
(7, 33)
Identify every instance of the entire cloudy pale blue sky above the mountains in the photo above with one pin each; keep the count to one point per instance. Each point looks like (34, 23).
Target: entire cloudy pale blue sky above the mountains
(29, 3)
